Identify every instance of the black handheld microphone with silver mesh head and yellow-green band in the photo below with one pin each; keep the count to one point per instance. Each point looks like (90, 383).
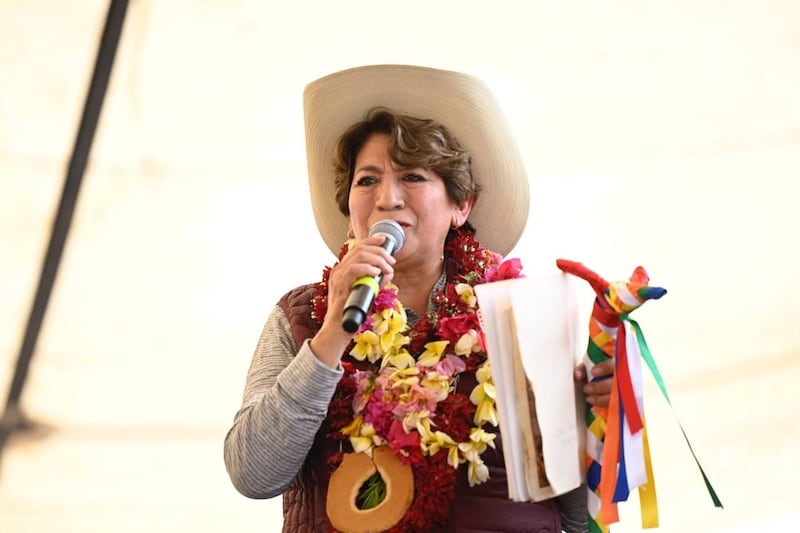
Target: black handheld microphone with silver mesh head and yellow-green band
(365, 288)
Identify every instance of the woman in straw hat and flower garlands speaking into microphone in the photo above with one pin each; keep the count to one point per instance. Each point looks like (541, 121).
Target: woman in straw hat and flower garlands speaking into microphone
(318, 398)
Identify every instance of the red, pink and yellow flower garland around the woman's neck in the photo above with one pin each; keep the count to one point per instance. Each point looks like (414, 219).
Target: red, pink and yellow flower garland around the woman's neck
(400, 391)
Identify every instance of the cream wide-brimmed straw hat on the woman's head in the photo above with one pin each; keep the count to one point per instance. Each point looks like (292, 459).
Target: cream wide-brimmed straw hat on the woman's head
(460, 102)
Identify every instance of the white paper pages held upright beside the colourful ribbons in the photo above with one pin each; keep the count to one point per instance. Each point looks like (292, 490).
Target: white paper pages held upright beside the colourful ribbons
(530, 325)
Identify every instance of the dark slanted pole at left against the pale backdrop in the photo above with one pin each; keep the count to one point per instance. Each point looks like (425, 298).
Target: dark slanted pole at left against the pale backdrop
(13, 418)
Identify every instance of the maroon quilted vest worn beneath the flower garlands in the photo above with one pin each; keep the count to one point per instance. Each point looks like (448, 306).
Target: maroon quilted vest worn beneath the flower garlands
(484, 508)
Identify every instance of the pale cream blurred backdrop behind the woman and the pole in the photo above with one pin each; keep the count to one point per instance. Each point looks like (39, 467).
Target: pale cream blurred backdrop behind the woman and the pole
(661, 133)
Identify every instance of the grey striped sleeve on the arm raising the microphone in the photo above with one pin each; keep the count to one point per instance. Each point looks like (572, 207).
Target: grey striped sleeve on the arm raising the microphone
(286, 399)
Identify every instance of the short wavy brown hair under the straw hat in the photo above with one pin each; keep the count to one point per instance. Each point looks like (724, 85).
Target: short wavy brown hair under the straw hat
(413, 143)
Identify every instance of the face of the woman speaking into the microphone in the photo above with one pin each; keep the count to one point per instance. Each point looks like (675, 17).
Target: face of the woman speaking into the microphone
(415, 198)
